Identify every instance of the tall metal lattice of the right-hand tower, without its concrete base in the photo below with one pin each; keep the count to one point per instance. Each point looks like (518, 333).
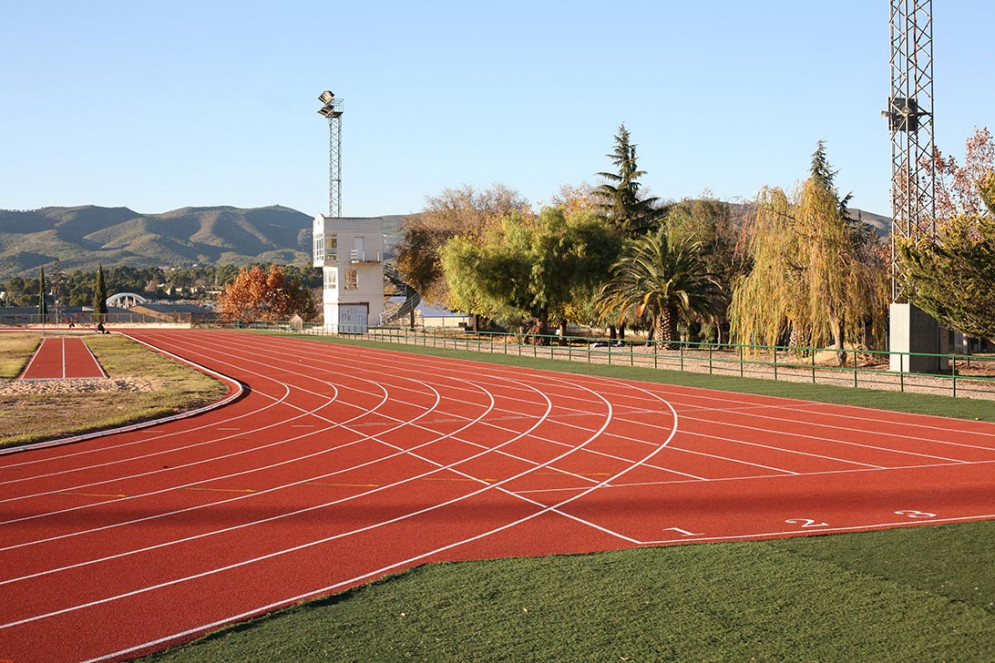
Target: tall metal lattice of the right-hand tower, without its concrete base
(910, 119)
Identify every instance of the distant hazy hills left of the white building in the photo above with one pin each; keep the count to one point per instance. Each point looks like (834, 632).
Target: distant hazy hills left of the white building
(82, 237)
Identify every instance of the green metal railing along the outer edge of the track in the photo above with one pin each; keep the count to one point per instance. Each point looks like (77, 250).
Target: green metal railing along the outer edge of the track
(964, 376)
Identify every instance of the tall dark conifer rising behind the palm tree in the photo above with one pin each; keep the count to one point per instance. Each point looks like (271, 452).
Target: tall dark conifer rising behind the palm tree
(620, 201)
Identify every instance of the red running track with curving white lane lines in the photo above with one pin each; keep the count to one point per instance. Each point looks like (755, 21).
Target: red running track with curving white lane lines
(343, 464)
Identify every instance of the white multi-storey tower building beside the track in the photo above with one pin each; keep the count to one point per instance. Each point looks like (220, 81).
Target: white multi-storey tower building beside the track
(350, 253)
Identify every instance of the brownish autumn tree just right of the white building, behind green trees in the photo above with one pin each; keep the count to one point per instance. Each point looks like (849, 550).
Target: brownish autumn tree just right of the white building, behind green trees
(462, 212)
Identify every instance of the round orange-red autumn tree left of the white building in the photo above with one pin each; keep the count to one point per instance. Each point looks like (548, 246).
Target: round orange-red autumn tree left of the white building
(256, 294)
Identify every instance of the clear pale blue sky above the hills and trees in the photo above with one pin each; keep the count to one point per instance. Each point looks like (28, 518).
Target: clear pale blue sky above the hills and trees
(156, 105)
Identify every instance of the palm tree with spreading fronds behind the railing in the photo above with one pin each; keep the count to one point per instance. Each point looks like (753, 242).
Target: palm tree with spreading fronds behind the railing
(667, 283)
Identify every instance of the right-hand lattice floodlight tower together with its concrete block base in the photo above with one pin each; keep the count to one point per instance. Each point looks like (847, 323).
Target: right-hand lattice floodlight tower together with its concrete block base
(915, 338)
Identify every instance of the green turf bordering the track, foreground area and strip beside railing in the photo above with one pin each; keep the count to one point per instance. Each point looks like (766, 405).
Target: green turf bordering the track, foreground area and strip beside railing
(916, 594)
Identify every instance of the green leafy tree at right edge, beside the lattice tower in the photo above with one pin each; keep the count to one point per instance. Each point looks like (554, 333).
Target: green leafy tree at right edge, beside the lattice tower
(952, 278)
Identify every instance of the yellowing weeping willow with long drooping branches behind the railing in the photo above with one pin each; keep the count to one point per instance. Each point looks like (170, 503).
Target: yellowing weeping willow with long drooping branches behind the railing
(813, 277)
